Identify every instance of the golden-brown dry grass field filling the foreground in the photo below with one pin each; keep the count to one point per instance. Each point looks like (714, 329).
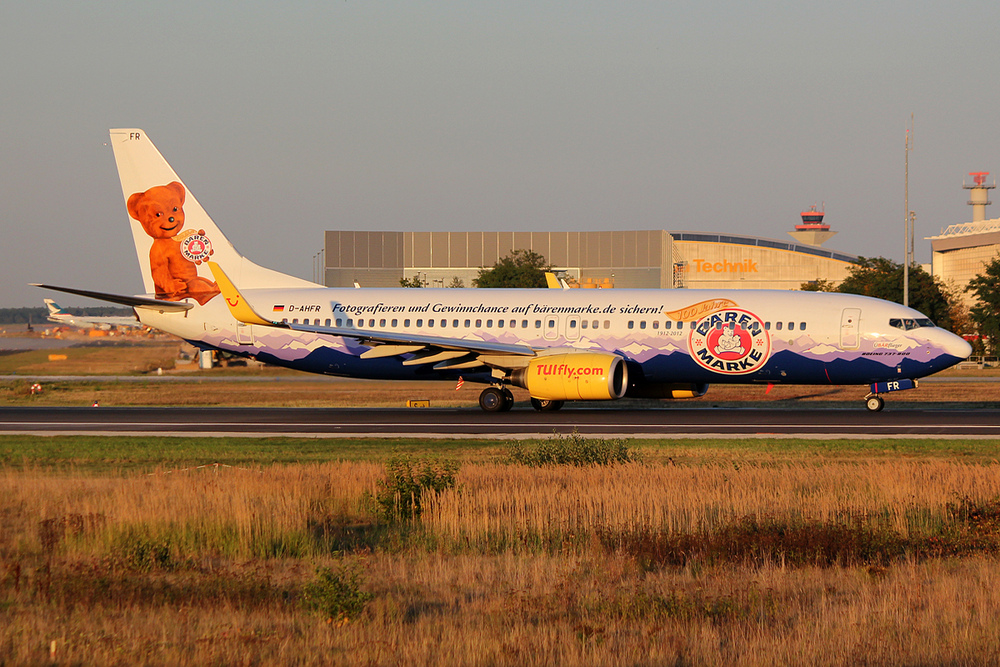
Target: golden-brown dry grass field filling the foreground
(514, 566)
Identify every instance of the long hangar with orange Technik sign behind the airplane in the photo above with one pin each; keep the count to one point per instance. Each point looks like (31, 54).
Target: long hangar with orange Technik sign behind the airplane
(623, 259)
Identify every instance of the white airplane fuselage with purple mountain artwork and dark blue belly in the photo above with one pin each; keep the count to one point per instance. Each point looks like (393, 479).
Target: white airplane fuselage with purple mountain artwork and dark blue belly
(666, 336)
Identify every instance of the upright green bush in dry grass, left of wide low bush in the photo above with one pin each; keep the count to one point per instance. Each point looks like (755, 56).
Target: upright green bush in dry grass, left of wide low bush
(401, 494)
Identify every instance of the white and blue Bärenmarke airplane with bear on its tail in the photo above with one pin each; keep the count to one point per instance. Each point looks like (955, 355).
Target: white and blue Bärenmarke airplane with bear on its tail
(559, 344)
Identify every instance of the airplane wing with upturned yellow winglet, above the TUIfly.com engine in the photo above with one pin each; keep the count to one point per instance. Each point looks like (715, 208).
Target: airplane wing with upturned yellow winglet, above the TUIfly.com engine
(445, 353)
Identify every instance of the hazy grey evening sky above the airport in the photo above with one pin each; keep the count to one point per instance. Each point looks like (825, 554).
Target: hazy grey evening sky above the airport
(289, 119)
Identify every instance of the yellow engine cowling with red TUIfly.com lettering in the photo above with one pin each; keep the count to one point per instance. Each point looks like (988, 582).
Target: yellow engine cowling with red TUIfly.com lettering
(574, 376)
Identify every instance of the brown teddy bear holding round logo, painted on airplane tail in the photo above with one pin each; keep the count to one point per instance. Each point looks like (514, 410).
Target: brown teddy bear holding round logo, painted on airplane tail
(175, 253)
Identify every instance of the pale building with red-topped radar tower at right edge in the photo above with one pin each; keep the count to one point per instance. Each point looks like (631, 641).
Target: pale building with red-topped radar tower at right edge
(961, 251)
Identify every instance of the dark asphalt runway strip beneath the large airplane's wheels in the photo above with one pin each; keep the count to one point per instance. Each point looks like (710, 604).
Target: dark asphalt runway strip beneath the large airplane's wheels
(471, 422)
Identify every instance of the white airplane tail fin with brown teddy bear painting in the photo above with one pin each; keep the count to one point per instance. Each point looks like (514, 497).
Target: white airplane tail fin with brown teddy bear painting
(174, 236)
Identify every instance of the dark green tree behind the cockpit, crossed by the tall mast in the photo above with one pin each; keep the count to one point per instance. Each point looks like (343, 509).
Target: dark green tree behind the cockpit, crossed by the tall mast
(883, 279)
